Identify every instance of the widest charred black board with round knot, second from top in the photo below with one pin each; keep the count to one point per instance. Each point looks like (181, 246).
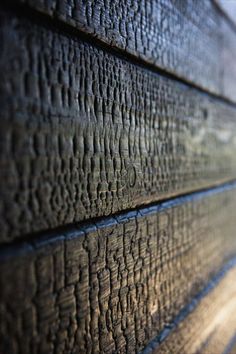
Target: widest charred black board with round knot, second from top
(85, 133)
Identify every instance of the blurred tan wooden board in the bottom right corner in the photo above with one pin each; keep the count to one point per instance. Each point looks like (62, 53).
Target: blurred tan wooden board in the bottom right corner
(210, 326)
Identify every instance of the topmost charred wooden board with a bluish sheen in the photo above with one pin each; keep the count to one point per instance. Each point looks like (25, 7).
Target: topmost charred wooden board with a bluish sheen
(182, 37)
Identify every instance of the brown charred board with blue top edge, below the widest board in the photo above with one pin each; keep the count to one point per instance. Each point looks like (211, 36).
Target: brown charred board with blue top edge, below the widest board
(113, 285)
